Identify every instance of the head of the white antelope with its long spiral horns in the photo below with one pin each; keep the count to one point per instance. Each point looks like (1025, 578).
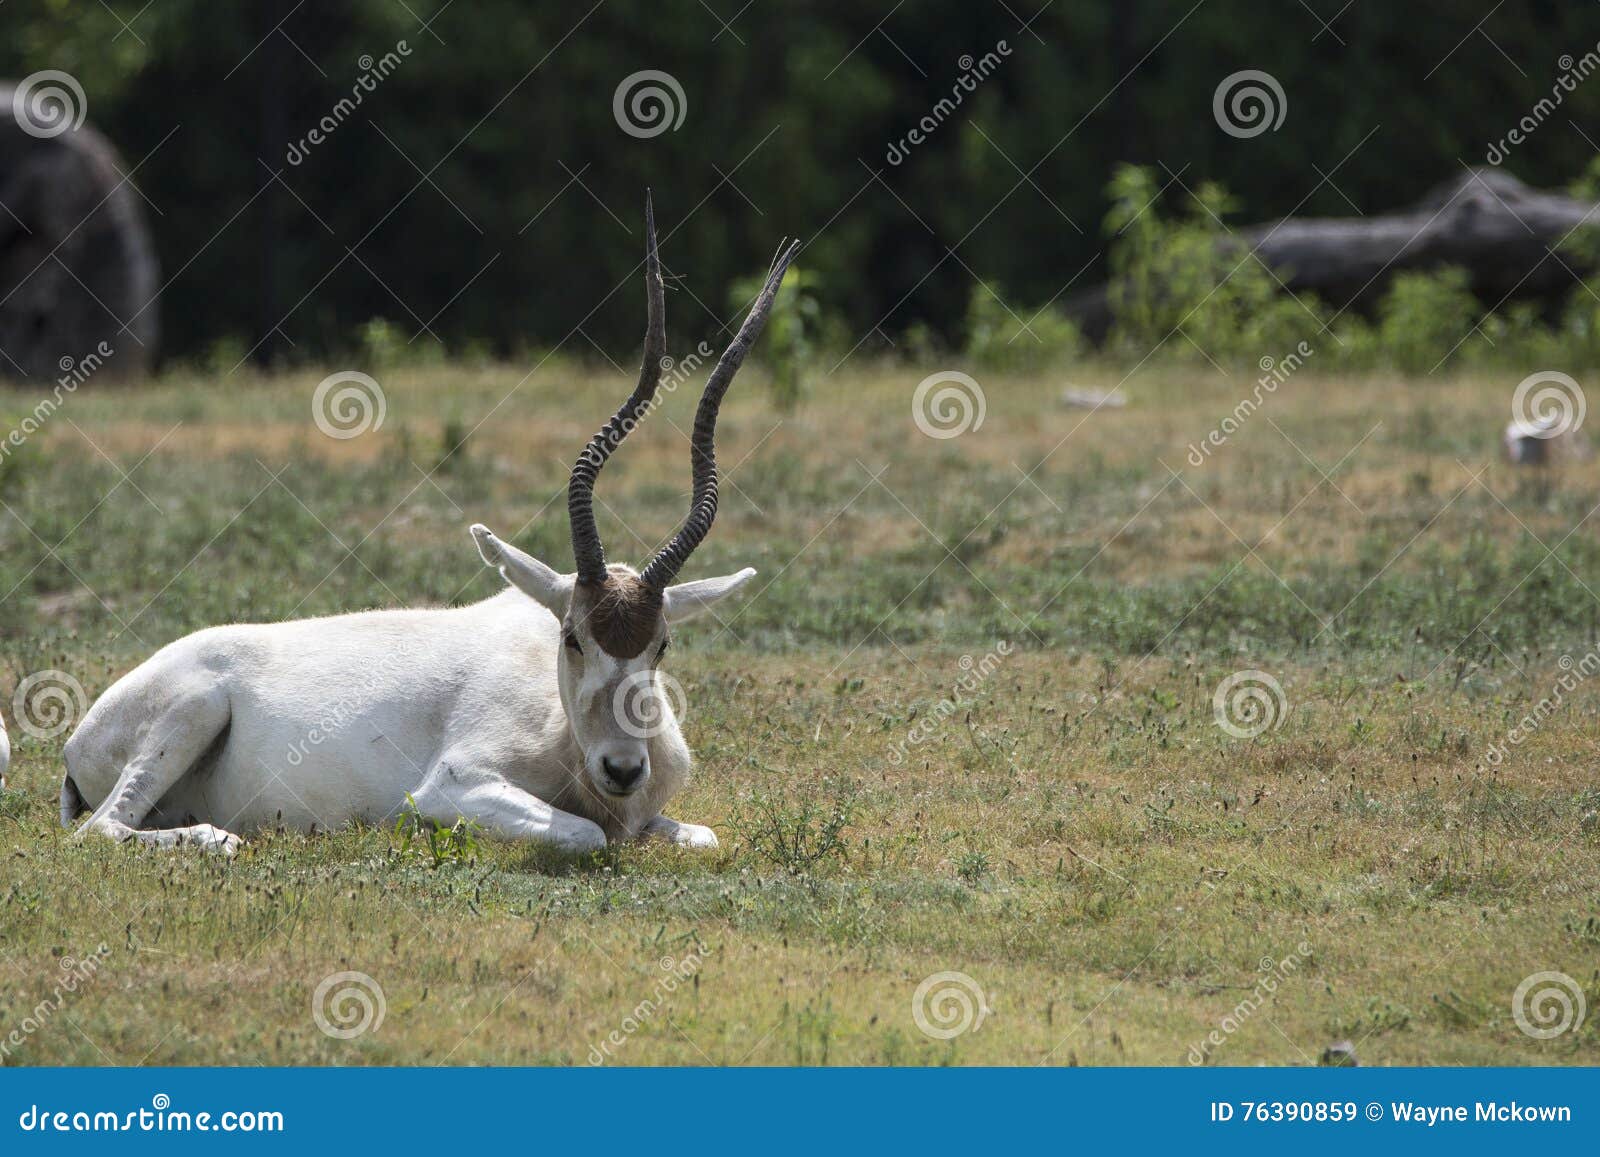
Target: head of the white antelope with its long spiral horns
(615, 620)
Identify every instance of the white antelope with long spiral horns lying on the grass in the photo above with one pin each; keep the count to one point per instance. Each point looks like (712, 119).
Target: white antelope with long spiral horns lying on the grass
(537, 713)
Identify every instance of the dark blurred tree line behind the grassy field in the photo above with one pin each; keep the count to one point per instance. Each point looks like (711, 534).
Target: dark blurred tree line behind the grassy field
(484, 194)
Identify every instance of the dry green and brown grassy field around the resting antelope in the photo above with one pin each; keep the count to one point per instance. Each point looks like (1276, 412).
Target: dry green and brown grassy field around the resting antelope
(967, 726)
